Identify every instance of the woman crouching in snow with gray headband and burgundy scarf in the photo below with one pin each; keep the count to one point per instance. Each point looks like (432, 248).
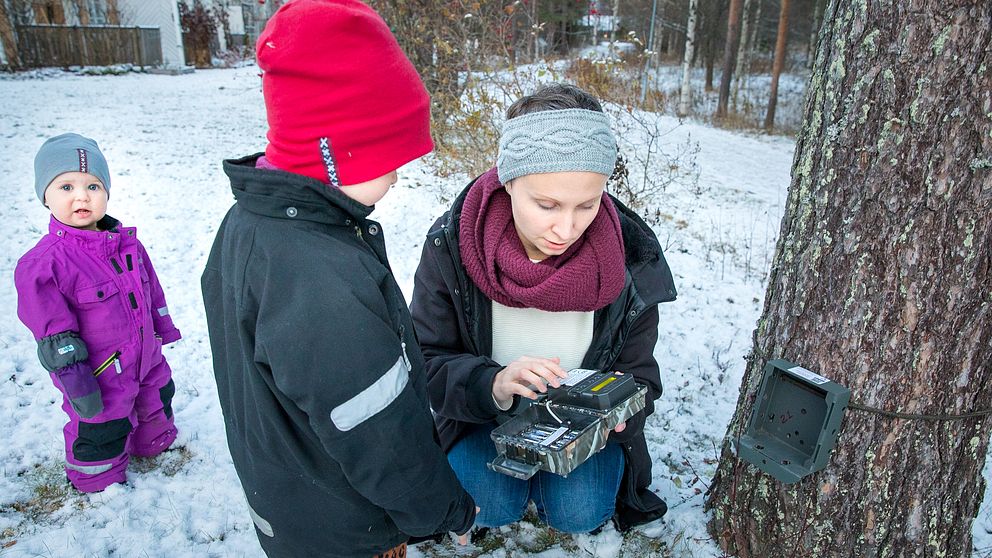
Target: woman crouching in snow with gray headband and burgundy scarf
(535, 270)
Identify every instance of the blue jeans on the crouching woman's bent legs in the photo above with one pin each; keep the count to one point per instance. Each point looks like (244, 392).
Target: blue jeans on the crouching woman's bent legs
(577, 504)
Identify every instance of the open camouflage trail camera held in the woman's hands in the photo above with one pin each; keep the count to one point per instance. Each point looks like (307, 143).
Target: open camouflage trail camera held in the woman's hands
(567, 425)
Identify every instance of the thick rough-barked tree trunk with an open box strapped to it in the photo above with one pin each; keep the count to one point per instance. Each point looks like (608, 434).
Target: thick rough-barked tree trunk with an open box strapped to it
(880, 282)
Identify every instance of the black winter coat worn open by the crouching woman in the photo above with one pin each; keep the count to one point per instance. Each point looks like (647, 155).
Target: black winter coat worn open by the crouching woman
(454, 326)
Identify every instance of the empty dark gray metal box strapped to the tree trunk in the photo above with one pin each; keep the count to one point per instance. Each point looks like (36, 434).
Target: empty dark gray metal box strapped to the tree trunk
(794, 423)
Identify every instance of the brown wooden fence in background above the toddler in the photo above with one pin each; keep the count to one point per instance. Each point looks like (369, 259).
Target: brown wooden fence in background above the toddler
(64, 45)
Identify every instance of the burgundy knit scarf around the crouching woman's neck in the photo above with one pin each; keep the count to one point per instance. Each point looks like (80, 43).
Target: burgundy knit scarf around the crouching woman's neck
(586, 277)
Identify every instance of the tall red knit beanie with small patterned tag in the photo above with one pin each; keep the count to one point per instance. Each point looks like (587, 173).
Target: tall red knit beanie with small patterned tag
(344, 104)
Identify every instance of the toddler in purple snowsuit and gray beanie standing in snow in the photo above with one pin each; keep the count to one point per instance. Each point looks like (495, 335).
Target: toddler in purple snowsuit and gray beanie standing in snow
(89, 294)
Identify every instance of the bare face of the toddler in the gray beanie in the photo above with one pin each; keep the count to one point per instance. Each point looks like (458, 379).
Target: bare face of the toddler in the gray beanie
(77, 199)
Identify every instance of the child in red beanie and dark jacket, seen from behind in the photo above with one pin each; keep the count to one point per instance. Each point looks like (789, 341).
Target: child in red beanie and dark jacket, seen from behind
(318, 371)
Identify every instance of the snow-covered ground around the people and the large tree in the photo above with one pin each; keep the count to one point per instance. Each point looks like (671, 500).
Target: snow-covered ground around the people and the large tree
(164, 138)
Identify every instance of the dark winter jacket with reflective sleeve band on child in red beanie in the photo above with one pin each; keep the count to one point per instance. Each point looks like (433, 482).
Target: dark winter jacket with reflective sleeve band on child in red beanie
(320, 379)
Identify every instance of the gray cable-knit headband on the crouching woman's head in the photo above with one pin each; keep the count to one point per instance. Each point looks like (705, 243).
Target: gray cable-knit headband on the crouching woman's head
(555, 141)
